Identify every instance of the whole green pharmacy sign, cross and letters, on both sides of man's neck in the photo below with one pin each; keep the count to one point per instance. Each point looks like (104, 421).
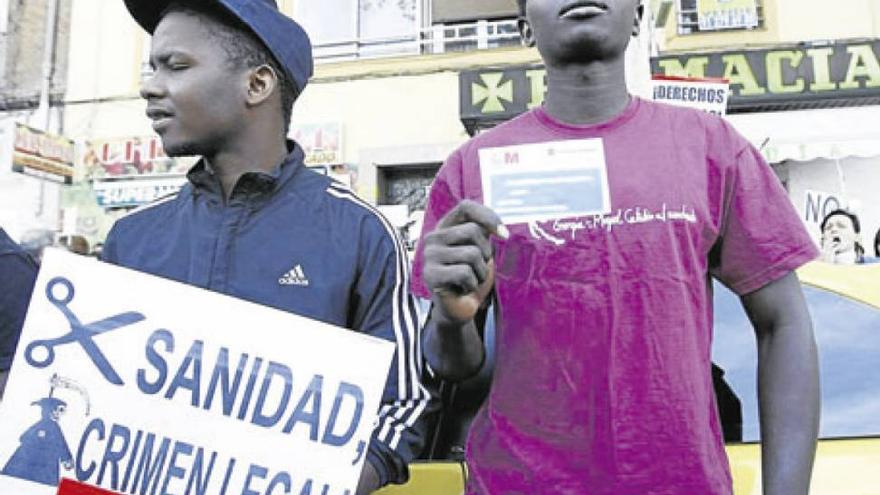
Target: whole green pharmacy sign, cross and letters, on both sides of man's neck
(795, 76)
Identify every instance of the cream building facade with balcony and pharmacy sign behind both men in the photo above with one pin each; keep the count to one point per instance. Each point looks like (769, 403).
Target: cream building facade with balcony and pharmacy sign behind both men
(399, 84)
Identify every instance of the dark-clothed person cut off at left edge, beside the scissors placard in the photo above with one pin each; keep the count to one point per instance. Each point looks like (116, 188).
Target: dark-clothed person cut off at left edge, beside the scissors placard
(18, 272)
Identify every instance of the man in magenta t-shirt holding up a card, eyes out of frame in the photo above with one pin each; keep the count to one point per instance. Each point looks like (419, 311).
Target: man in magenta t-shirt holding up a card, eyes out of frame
(602, 380)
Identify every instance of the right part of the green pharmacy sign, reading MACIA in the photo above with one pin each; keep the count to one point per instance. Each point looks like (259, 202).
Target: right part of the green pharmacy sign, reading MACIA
(807, 75)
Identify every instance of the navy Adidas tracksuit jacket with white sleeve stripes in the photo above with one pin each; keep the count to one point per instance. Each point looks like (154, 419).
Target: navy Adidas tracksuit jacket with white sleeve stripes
(298, 241)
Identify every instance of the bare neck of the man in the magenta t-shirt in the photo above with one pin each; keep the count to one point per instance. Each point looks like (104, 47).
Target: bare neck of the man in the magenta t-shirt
(586, 93)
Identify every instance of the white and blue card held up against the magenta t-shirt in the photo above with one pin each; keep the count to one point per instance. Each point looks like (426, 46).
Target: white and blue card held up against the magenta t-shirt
(544, 181)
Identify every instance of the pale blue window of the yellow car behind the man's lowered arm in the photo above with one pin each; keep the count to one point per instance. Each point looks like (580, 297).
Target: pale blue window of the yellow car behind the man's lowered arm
(848, 337)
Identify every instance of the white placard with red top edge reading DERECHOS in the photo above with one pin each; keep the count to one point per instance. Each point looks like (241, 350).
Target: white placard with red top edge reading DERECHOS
(708, 95)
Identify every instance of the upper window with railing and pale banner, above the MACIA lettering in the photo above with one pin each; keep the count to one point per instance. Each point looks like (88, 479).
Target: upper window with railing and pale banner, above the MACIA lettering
(695, 16)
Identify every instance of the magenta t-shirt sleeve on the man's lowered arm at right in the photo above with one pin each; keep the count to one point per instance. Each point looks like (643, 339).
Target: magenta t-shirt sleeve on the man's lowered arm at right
(761, 238)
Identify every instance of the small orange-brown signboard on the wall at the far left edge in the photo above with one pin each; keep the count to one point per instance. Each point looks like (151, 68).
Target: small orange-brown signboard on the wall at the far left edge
(37, 153)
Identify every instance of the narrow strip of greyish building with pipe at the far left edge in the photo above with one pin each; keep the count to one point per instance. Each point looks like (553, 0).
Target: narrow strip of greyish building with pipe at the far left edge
(34, 43)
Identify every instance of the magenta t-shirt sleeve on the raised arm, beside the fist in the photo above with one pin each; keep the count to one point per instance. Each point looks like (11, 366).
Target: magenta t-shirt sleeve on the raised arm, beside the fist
(445, 194)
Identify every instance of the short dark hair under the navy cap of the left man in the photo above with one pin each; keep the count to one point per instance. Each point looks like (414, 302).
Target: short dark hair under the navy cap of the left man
(242, 47)
